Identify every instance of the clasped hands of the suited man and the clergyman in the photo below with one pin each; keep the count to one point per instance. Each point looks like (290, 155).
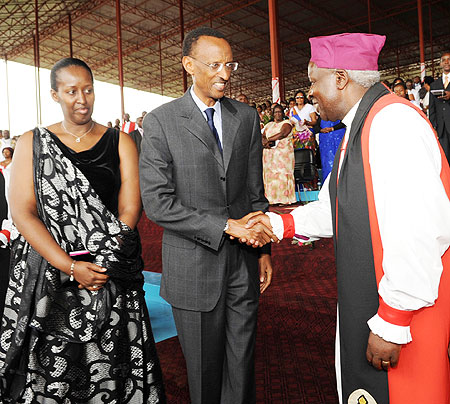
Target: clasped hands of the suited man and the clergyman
(253, 229)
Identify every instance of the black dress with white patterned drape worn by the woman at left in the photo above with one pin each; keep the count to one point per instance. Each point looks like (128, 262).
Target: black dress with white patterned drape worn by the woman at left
(60, 344)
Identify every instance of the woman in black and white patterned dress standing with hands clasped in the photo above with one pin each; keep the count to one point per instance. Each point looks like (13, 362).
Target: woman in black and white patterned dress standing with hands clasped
(76, 327)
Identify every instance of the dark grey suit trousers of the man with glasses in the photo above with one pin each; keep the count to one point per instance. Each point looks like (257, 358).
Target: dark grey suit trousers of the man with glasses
(219, 345)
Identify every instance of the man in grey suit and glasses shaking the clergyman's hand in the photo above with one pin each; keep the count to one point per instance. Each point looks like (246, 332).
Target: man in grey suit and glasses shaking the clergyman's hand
(201, 174)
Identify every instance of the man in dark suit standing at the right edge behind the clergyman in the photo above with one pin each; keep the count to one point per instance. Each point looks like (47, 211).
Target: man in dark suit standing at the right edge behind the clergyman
(439, 110)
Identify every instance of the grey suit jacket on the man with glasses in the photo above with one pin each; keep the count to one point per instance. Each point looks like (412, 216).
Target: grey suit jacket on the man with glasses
(191, 191)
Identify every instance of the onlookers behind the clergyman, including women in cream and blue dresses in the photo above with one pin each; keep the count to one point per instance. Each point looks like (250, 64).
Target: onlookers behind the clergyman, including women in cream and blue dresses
(307, 130)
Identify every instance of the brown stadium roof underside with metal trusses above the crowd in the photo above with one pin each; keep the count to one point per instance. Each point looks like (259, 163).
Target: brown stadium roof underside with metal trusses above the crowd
(151, 25)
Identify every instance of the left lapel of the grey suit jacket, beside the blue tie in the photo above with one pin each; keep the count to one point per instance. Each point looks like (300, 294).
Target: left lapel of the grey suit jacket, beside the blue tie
(196, 124)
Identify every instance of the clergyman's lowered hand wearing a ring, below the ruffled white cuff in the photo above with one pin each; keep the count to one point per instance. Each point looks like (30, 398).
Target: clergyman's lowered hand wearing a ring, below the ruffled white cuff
(382, 354)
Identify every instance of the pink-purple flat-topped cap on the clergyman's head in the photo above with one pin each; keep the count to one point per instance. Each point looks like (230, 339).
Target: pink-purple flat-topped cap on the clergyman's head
(350, 51)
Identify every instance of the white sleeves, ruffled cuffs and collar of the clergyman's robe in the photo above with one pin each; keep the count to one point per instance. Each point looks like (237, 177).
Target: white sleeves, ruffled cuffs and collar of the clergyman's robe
(412, 207)
